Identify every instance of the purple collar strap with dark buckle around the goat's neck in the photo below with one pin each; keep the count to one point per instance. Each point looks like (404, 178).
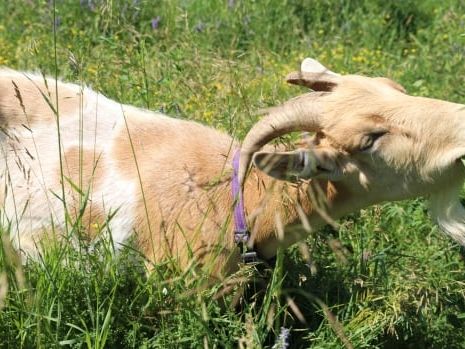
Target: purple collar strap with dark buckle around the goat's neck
(241, 231)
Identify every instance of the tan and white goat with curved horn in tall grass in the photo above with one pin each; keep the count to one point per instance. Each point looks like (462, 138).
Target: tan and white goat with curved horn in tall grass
(167, 182)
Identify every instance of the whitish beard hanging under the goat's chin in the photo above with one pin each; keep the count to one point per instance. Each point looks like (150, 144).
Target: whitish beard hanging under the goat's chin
(449, 213)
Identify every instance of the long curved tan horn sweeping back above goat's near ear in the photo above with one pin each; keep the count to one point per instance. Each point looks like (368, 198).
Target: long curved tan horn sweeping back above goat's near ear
(302, 113)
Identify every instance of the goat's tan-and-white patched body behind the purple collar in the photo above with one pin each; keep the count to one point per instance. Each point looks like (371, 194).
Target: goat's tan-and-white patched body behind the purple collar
(79, 154)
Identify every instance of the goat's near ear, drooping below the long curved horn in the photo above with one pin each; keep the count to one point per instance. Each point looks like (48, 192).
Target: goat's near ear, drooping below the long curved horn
(294, 165)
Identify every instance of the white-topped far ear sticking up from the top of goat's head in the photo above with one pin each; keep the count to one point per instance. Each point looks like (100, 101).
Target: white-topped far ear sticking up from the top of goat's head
(314, 75)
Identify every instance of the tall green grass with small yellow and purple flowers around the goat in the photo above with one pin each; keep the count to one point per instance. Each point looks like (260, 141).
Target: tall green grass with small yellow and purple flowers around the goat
(386, 279)
